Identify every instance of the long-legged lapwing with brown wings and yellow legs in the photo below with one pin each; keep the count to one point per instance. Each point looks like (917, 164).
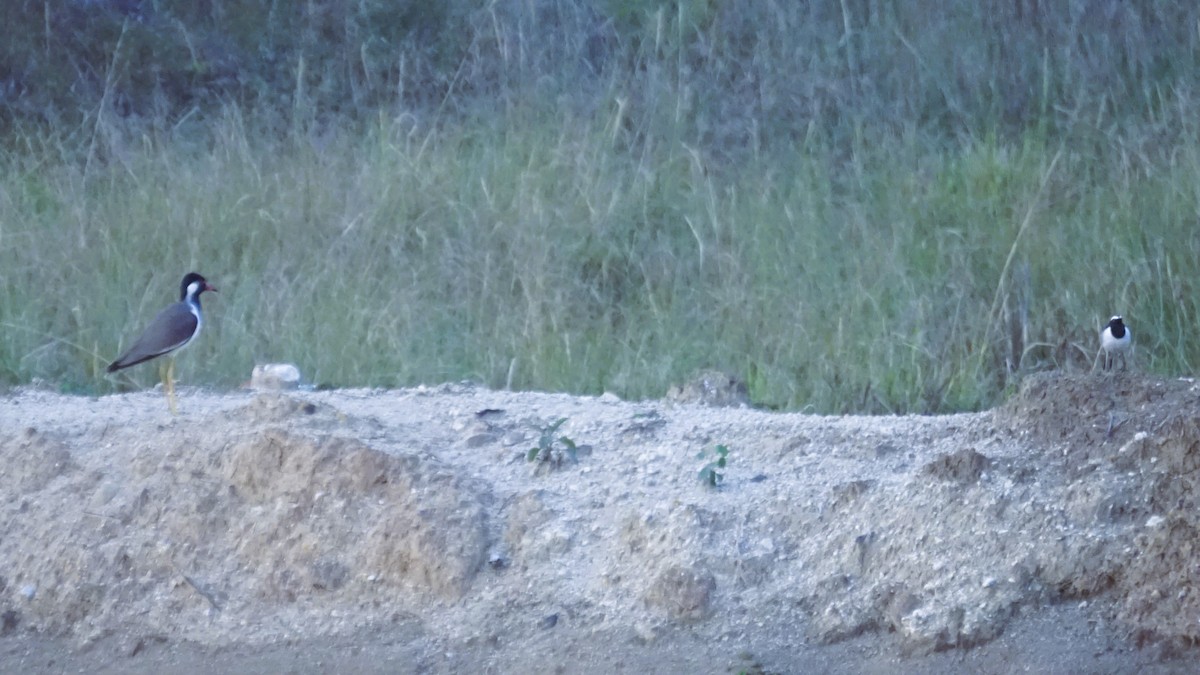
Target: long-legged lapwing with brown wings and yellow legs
(170, 332)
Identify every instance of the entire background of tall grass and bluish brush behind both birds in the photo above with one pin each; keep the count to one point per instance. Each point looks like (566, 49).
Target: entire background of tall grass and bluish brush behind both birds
(869, 224)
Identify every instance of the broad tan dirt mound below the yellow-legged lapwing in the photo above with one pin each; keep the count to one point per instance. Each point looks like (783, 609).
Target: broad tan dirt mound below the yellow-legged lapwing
(194, 525)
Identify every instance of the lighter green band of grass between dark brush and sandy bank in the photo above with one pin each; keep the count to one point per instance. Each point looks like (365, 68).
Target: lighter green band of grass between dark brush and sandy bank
(550, 254)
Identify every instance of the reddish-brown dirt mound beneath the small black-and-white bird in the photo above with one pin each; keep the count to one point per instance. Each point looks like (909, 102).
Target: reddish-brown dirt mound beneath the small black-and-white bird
(1127, 449)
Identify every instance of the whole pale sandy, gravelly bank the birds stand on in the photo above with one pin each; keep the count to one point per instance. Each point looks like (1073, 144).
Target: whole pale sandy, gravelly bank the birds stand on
(406, 531)
